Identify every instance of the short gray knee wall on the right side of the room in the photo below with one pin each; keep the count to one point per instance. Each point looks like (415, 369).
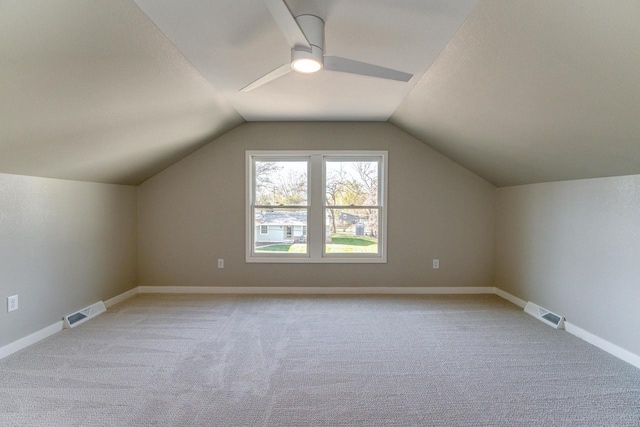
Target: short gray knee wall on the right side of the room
(574, 248)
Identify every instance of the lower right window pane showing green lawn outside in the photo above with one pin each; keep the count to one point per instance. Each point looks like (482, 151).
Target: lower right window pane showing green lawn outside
(353, 231)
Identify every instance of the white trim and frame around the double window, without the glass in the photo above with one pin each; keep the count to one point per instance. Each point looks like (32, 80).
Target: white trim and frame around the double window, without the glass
(316, 205)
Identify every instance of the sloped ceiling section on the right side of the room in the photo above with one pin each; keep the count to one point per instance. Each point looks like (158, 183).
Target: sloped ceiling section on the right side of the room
(535, 91)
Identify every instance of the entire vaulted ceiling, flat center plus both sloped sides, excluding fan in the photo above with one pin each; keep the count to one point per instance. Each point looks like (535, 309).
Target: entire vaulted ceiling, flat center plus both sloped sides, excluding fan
(517, 92)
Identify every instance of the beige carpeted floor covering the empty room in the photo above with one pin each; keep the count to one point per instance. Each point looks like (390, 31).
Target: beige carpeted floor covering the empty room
(183, 360)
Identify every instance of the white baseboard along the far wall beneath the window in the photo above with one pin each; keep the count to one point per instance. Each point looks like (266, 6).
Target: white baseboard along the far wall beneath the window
(285, 290)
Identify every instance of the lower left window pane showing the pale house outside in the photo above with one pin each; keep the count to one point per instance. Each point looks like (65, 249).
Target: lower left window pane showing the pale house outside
(285, 231)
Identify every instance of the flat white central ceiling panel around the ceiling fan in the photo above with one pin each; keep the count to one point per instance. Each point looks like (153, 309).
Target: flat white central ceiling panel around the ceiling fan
(232, 43)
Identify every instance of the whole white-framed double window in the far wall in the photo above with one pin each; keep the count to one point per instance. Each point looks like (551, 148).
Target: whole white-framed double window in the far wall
(312, 206)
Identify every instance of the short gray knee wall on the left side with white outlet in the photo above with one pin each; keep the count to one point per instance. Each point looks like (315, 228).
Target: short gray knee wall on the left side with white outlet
(63, 245)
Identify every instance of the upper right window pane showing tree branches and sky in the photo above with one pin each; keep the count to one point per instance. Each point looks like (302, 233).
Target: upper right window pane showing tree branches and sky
(352, 183)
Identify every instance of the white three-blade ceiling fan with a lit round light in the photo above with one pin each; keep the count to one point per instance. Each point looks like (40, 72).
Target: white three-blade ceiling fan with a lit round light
(305, 35)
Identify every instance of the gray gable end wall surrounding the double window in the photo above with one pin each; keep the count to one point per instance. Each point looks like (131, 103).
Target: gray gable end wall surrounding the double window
(194, 212)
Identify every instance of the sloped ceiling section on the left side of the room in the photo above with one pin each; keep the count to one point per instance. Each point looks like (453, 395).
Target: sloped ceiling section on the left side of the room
(93, 91)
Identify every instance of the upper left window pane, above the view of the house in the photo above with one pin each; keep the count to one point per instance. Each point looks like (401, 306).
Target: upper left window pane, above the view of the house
(281, 183)
